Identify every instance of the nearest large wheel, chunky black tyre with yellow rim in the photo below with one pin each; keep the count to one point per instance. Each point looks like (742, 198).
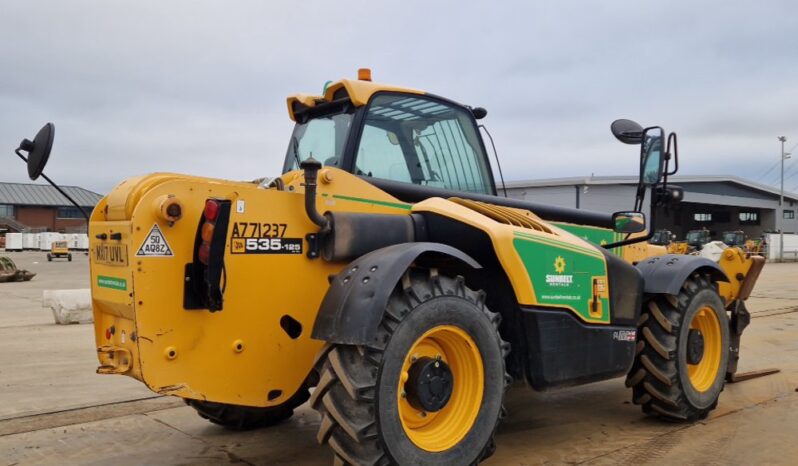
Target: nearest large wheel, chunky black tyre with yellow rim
(375, 405)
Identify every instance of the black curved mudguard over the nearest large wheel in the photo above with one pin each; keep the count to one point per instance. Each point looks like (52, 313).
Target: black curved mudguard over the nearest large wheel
(352, 309)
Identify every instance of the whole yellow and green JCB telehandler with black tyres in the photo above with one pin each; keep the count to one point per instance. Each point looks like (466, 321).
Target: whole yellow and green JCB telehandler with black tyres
(382, 269)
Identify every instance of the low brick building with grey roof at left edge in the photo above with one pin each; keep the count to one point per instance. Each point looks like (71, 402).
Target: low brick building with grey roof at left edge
(39, 207)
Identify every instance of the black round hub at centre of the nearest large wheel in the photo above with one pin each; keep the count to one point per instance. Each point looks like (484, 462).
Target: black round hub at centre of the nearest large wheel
(429, 384)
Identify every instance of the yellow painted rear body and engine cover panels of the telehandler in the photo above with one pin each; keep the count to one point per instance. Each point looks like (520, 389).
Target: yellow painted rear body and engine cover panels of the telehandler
(241, 355)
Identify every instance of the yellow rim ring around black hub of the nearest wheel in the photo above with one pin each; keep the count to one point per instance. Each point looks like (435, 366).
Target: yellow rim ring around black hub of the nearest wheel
(442, 430)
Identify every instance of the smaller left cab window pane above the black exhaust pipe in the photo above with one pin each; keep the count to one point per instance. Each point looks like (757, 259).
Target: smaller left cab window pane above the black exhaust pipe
(322, 137)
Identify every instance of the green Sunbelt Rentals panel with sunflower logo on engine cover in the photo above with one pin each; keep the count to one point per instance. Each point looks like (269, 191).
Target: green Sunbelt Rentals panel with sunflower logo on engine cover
(564, 275)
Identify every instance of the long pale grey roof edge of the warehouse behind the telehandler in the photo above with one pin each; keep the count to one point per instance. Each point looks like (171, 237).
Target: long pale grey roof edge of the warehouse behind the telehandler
(632, 180)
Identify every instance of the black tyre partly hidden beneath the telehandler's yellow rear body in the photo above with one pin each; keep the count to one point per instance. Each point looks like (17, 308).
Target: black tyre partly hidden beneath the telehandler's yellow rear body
(237, 417)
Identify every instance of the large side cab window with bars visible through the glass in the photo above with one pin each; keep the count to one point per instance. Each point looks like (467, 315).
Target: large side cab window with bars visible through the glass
(422, 141)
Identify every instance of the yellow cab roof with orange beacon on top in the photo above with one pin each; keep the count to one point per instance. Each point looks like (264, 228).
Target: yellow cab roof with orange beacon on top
(358, 91)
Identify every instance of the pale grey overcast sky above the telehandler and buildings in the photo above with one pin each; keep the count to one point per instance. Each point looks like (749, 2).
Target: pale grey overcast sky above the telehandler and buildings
(199, 87)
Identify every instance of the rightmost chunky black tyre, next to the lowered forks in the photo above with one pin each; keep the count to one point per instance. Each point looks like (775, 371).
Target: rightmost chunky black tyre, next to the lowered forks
(659, 376)
